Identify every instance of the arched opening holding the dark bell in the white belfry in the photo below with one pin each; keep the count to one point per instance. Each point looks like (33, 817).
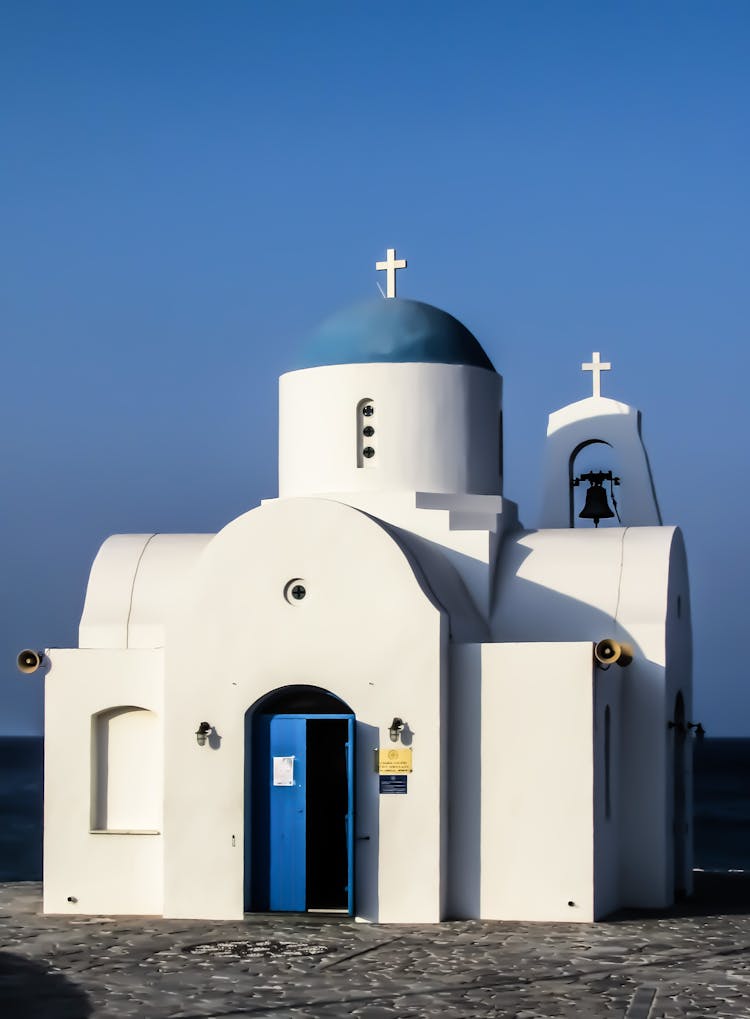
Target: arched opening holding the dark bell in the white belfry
(595, 477)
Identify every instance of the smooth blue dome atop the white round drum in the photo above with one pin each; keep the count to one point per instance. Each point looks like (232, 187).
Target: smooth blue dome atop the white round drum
(394, 332)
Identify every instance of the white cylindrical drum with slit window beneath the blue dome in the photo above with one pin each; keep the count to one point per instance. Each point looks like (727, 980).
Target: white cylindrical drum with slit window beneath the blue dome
(437, 430)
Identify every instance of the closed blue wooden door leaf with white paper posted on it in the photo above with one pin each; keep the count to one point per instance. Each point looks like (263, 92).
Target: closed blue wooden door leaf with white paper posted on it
(288, 823)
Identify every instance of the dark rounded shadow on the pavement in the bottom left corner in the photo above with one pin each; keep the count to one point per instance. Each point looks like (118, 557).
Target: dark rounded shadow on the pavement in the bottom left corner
(31, 990)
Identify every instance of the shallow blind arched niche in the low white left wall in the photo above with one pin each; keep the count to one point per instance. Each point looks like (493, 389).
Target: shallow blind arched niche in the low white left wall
(127, 781)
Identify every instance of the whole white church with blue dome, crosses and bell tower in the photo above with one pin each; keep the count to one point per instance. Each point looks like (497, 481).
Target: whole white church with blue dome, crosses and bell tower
(379, 693)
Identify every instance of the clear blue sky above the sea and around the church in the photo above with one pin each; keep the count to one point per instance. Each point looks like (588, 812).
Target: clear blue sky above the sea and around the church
(187, 189)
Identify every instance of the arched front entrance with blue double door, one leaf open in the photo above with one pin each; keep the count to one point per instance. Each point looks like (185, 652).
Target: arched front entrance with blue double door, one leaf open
(299, 809)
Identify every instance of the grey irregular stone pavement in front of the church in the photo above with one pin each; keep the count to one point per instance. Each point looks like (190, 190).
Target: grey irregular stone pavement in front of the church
(316, 968)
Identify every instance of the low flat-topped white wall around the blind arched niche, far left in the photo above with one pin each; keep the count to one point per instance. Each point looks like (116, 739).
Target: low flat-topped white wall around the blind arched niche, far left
(104, 873)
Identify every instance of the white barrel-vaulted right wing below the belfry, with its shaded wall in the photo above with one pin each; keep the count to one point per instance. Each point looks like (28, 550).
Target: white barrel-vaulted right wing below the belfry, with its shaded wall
(587, 585)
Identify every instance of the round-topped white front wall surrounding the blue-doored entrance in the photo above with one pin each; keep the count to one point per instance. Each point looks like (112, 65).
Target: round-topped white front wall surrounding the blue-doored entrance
(238, 639)
